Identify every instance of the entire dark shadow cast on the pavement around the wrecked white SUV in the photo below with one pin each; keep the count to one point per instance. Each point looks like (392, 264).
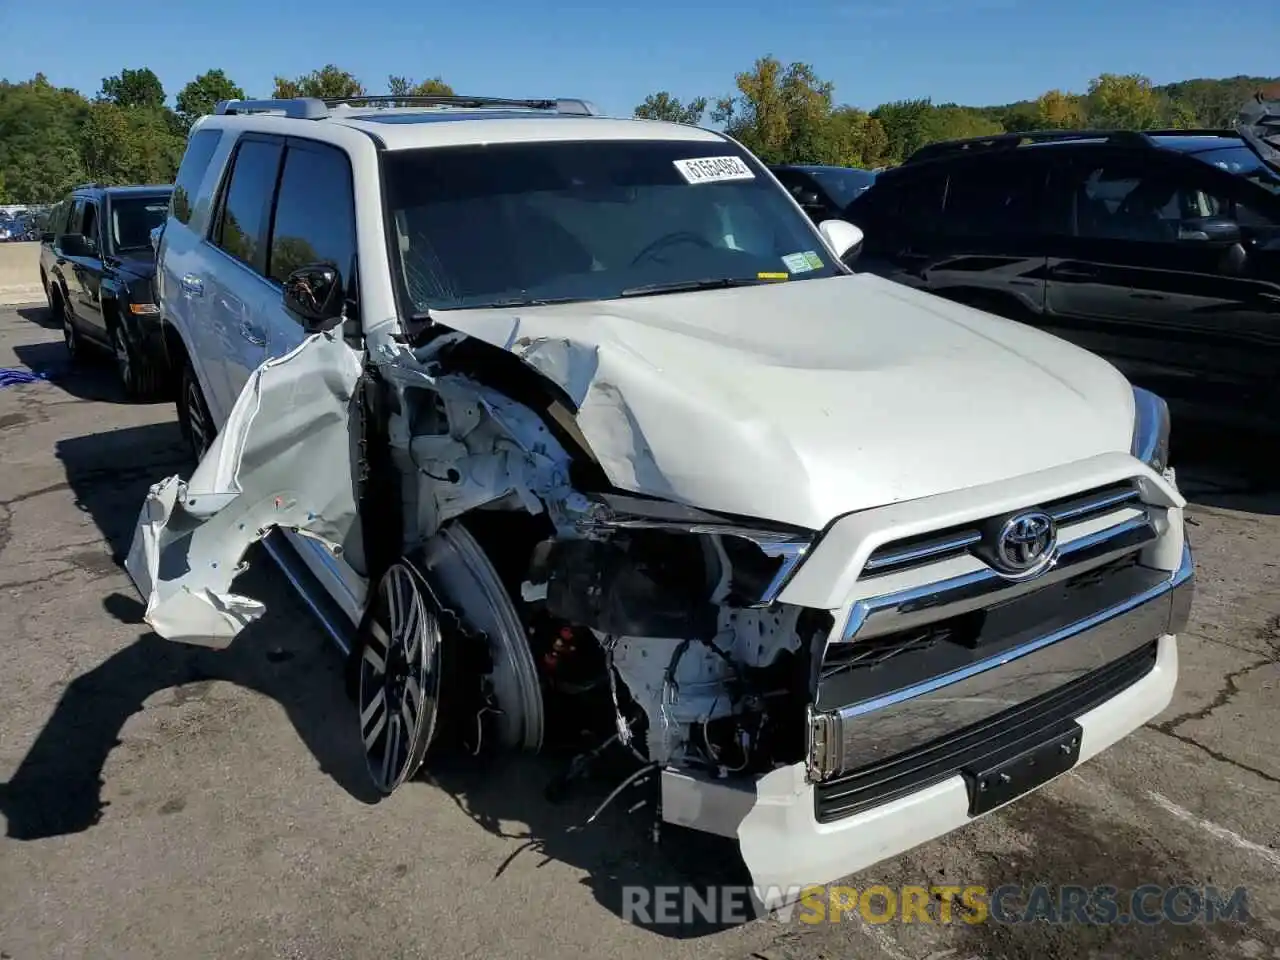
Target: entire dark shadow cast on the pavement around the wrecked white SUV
(58, 787)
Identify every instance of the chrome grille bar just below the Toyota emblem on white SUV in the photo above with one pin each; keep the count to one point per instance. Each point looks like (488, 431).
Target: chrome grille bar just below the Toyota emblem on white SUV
(995, 587)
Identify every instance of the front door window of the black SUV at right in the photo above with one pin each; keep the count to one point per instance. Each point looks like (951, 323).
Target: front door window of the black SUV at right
(1124, 200)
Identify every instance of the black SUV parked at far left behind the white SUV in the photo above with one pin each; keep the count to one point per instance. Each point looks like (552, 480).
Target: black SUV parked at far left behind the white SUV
(98, 266)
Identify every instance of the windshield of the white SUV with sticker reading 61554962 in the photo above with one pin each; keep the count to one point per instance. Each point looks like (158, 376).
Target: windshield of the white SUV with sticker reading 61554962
(527, 223)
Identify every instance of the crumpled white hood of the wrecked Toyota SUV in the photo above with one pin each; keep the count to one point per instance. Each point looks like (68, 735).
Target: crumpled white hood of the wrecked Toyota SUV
(802, 401)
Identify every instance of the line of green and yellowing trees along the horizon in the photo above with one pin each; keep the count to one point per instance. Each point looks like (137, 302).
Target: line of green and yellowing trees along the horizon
(53, 139)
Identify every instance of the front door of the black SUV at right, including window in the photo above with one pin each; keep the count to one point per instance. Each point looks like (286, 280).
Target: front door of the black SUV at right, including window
(1181, 312)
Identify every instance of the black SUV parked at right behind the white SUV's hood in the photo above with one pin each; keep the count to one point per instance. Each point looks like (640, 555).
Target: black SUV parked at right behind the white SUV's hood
(1160, 252)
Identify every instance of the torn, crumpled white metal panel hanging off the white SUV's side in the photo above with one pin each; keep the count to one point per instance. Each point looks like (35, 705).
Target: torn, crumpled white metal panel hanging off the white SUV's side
(282, 460)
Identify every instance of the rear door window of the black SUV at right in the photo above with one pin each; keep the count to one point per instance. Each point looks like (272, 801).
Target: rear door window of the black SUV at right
(993, 199)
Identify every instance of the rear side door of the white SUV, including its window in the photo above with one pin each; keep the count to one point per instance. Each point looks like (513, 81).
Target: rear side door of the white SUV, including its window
(240, 298)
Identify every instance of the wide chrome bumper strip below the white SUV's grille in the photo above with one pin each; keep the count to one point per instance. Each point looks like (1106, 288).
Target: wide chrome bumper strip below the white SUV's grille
(909, 719)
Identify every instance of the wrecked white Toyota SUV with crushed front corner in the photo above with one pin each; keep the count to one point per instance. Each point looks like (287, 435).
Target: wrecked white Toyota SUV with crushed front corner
(564, 422)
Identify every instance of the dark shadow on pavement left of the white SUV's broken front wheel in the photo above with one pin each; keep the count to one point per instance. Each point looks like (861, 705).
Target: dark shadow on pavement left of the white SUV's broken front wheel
(57, 788)
